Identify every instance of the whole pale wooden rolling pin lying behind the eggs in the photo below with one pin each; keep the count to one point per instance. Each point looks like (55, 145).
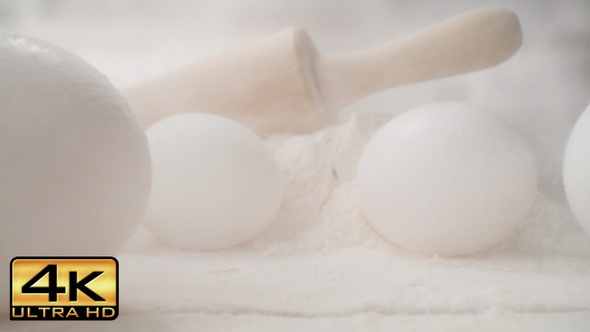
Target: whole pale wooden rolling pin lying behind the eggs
(281, 84)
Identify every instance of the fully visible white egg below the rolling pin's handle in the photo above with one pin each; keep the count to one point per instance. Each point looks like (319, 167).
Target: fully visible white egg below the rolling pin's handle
(446, 179)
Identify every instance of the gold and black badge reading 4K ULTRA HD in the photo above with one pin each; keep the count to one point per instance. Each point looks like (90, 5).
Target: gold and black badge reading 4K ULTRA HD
(64, 288)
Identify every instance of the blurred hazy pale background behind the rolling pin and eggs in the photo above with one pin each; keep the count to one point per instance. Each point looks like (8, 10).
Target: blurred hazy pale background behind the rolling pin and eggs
(542, 90)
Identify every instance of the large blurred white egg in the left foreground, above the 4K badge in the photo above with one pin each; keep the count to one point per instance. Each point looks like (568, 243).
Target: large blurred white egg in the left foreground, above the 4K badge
(74, 163)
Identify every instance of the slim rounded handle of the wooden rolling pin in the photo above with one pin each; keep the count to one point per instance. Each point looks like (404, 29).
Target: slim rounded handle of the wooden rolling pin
(476, 40)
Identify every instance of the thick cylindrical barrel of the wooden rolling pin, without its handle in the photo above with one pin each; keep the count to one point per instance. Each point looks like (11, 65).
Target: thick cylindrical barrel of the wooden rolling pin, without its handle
(261, 85)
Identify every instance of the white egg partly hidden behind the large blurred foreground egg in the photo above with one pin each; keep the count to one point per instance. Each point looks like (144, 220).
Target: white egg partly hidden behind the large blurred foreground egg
(215, 184)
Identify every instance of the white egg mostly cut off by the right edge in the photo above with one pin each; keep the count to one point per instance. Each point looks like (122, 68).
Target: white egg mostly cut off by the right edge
(576, 170)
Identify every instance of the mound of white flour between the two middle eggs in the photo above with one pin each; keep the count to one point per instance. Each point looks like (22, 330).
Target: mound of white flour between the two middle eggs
(320, 211)
